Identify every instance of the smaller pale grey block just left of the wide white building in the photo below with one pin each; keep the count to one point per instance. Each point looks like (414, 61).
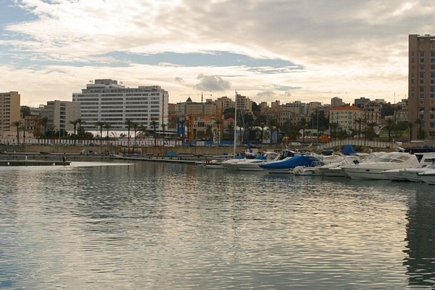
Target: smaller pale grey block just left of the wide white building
(60, 114)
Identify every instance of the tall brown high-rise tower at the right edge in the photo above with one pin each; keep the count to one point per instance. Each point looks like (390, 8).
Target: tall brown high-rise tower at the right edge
(421, 82)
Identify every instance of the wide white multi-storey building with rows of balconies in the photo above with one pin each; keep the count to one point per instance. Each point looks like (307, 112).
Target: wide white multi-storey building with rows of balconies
(107, 101)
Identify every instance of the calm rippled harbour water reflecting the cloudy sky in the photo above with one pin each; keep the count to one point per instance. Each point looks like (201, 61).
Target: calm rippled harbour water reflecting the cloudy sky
(171, 226)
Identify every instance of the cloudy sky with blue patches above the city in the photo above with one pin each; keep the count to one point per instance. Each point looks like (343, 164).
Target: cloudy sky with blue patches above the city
(267, 50)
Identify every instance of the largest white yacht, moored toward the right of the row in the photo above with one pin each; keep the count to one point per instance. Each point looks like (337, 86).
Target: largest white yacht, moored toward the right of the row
(373, 167)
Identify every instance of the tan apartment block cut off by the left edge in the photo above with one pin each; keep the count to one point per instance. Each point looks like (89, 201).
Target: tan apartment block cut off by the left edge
(9, 113)
